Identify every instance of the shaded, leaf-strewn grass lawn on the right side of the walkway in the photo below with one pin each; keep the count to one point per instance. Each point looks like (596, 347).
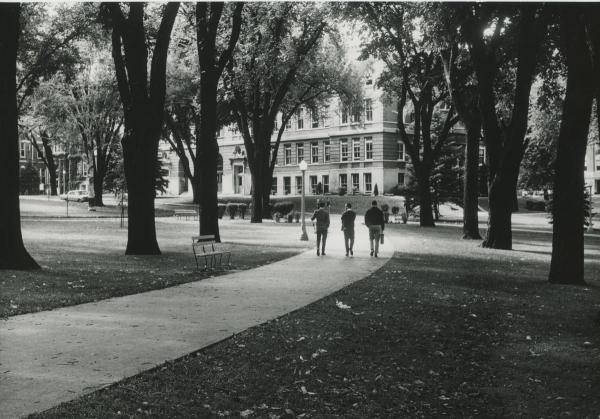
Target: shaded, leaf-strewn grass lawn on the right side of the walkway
(444, 329)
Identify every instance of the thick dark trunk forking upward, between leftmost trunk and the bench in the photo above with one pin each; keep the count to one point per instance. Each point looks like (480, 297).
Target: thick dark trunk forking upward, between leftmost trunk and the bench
(143, 106)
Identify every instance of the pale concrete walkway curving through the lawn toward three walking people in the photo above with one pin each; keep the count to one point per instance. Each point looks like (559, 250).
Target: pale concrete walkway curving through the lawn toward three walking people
(51, 357)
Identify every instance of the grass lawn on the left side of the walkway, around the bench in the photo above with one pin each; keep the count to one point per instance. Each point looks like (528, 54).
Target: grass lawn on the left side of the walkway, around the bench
(83, 260)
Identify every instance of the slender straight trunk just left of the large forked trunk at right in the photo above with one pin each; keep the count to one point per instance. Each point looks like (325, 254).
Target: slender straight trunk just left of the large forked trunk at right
(471, 181)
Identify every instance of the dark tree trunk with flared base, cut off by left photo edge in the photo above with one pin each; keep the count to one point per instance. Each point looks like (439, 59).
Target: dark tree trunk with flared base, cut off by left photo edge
(13, 254)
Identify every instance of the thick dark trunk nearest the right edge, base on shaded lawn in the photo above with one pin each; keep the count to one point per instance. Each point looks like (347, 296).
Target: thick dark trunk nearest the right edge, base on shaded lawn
(567, 240)
